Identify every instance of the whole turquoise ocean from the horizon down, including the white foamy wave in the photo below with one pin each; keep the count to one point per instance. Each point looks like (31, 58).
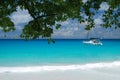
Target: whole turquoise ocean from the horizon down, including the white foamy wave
(65, 54)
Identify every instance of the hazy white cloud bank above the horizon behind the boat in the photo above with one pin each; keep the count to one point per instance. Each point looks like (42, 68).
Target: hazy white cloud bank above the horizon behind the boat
(75, 30)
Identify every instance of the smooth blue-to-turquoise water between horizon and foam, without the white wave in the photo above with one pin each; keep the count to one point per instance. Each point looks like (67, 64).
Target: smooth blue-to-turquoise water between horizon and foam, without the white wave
(63, 52)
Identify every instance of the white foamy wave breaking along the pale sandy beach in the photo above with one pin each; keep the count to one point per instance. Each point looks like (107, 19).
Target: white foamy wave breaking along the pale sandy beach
(61, 68)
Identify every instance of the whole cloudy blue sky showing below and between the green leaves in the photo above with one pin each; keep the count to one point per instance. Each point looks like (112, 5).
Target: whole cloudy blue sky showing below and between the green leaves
(70, 29)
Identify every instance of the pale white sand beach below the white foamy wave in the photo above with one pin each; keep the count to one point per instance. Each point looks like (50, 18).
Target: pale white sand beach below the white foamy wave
(101, 74)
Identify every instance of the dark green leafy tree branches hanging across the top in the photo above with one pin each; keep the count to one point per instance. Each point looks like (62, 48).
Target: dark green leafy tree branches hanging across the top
(48, 13)
